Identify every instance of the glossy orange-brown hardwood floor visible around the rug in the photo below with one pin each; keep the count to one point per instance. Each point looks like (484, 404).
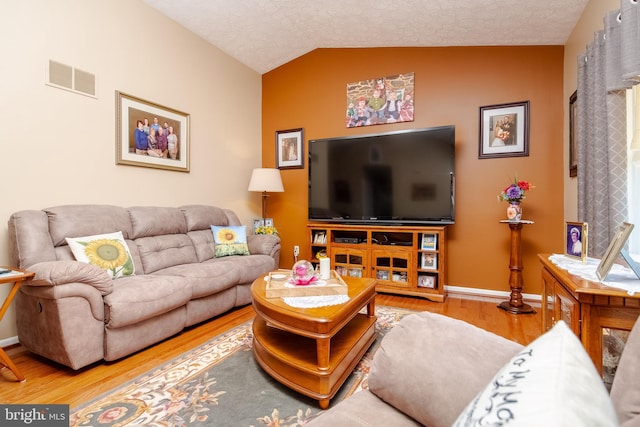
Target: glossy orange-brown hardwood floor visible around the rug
(48, 382)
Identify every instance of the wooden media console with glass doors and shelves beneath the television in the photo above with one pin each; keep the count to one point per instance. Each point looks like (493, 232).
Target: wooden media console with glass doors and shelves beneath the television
(405, 260)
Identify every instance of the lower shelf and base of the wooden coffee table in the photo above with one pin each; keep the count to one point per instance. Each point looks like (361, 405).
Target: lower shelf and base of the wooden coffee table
(293, 359)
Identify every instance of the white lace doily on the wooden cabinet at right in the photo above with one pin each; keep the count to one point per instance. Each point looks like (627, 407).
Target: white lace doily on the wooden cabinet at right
(620, 277)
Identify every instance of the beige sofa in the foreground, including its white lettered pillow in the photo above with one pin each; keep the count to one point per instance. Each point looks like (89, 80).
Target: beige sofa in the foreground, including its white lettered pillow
(440, 372)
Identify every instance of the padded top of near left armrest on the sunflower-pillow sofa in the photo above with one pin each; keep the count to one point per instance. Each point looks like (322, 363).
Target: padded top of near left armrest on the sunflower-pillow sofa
(55, 273)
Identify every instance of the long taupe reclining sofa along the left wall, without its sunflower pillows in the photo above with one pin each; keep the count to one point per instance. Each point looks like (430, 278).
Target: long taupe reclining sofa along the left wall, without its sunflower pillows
(75, 314)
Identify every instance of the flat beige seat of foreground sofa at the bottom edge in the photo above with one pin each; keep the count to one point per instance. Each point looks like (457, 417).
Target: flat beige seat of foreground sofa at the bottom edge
(362, 409)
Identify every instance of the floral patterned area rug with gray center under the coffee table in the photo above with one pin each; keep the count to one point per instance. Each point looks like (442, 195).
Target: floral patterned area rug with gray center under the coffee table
(219, 384)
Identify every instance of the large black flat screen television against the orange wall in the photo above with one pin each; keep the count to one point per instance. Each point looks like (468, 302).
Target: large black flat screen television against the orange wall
(396, 178)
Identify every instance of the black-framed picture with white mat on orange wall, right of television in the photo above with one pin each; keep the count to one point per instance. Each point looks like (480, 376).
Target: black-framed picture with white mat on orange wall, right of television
(504, 130)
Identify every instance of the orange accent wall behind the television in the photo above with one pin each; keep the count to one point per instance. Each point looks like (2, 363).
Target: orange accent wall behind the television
(451, 84)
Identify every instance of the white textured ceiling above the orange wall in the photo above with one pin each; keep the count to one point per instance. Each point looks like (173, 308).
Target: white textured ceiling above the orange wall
(264, 34)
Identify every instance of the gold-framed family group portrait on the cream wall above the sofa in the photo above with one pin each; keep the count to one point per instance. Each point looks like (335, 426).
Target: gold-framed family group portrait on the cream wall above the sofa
(151, 135)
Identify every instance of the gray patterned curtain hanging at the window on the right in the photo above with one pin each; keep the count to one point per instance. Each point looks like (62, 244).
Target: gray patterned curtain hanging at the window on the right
(610, 65)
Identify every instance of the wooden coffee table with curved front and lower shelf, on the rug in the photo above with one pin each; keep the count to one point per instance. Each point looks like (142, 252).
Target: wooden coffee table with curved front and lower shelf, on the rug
(313, 350)
